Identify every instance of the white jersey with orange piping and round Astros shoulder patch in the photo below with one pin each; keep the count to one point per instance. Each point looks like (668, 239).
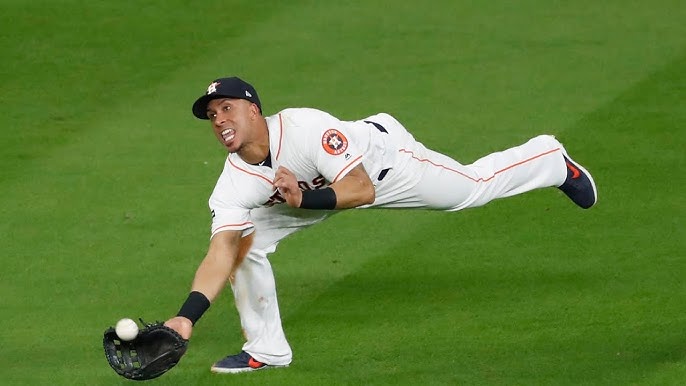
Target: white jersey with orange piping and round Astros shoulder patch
(316, 147)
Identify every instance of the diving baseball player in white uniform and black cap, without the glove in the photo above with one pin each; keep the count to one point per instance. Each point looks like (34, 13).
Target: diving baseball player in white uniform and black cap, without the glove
(290, 170)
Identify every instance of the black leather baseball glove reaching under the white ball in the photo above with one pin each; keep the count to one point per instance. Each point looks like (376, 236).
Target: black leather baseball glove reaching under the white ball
(155, 350)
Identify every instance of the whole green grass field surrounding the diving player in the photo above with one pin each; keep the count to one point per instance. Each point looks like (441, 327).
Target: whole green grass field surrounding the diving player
(105, 177)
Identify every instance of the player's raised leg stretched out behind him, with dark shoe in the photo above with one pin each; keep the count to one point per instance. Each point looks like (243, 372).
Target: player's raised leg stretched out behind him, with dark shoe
(425, 178)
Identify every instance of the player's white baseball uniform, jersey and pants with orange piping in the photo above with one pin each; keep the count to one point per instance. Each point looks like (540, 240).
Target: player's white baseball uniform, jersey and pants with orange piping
(320, 149)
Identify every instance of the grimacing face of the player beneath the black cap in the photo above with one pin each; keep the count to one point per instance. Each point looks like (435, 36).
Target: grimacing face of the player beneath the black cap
(230, 120)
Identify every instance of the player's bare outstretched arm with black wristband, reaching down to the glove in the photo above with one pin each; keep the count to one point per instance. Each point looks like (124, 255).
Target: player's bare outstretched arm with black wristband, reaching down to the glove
(210, 278)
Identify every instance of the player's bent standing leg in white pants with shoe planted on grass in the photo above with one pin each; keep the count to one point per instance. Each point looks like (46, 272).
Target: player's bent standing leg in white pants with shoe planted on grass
(254, 290)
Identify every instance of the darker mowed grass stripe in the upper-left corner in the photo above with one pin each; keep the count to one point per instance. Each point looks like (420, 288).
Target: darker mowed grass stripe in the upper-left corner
(69, 67)
